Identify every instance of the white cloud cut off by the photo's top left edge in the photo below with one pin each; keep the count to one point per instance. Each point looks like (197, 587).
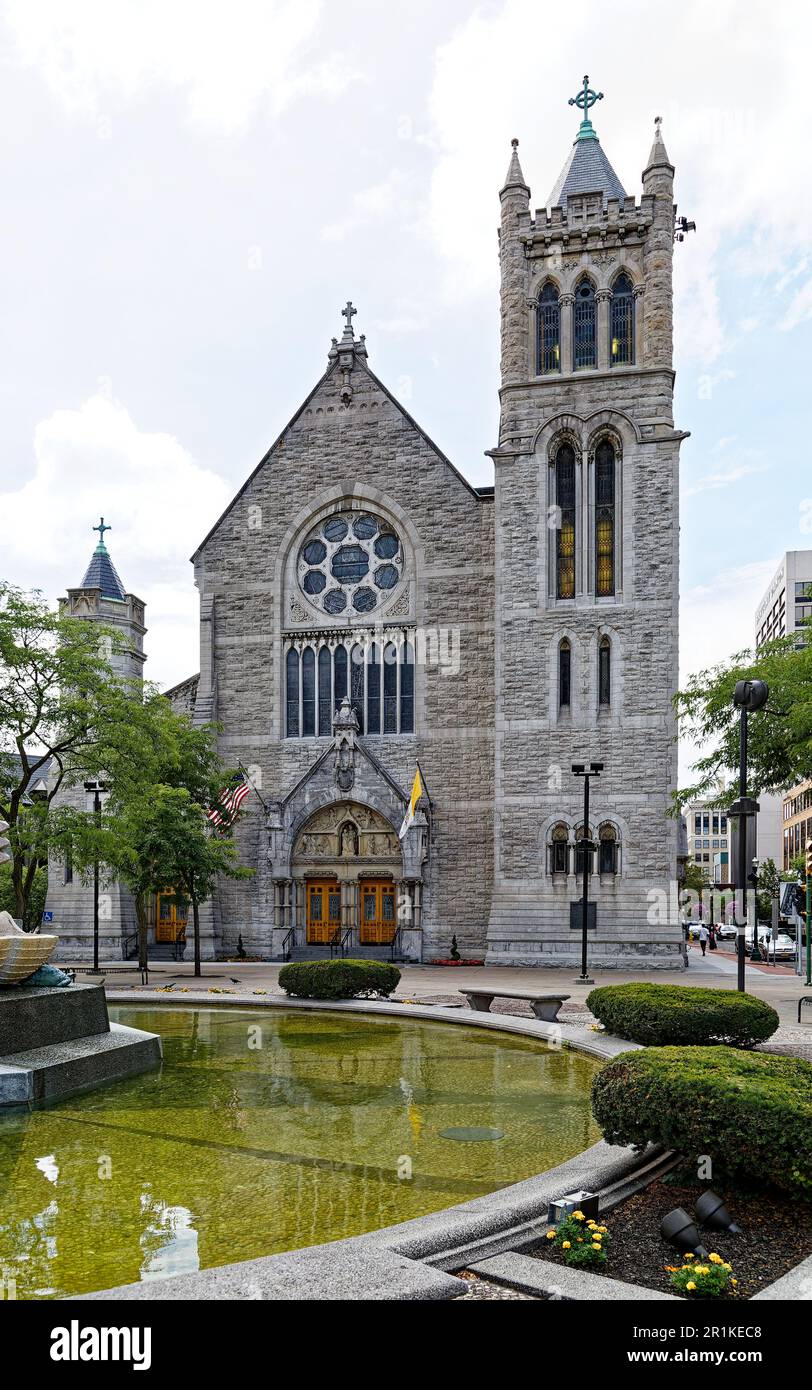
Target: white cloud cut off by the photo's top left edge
(229, 60)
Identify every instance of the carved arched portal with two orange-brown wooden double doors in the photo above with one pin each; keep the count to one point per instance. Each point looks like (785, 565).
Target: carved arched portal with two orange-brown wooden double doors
(348, 878)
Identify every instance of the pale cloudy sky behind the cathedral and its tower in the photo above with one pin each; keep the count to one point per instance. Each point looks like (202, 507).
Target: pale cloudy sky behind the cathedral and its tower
(193, 190)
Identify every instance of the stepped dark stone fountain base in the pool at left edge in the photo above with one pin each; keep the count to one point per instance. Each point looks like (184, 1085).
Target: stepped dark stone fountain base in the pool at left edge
(55, 1043)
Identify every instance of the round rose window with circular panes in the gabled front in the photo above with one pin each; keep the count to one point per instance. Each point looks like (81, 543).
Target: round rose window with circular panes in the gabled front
(350, 564)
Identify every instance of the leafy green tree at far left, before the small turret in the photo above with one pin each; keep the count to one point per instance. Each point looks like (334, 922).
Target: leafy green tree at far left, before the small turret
(63, 710)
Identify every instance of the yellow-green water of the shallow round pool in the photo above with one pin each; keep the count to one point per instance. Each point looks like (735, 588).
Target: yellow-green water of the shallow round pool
(266, 1131)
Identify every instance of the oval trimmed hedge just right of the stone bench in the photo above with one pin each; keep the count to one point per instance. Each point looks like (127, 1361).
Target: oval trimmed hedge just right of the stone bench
(664, 1014)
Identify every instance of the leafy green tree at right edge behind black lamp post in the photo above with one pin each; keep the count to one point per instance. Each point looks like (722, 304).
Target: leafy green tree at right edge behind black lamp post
(781, 737)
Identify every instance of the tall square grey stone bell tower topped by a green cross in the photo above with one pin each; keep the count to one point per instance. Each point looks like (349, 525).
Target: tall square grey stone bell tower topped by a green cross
(587, 530)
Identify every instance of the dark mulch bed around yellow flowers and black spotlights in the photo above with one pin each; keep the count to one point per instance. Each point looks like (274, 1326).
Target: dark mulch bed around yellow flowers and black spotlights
(777, 1235)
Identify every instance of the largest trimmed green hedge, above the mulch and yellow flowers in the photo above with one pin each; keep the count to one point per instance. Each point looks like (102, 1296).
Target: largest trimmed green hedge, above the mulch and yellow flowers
(750, 1111)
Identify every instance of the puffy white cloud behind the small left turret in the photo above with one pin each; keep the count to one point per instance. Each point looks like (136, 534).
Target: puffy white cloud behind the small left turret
(159, 501)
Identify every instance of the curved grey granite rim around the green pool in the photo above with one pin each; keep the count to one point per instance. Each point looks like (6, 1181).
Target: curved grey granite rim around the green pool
(411, 1260)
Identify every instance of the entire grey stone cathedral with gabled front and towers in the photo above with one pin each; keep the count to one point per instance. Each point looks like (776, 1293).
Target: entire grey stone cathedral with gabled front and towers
(366, 611)
